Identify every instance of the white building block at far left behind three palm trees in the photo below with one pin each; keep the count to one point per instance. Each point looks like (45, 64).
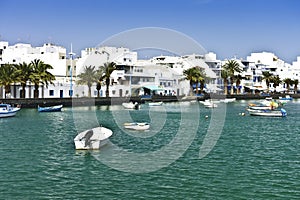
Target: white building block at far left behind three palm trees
(51, 54)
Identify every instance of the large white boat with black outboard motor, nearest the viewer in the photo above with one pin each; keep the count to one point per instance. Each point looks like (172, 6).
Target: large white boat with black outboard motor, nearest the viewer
(92, 139)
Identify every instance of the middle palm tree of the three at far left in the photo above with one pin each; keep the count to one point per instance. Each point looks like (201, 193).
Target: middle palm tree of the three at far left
(23, 72)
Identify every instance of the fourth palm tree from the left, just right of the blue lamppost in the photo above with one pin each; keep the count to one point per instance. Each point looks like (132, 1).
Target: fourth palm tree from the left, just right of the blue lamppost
(88, 77)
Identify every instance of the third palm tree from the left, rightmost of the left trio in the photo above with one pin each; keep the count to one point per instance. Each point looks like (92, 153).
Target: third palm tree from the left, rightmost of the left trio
(40, 75)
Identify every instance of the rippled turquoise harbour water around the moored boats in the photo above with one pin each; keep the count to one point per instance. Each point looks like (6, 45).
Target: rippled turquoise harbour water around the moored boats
(253, 158)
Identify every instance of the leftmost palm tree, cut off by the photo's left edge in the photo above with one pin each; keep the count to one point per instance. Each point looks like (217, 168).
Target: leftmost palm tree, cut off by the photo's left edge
(7, 77)
